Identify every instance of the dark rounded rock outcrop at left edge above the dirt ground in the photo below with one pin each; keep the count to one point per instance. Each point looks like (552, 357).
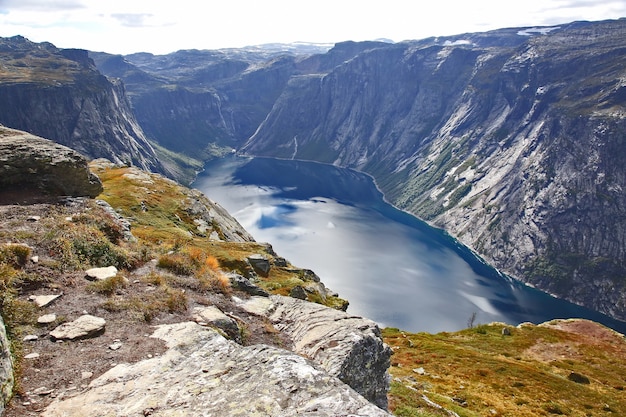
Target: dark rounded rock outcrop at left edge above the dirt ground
(30, 163)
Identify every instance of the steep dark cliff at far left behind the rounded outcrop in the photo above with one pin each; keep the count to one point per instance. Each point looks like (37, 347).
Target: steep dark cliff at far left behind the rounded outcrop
(59, 94)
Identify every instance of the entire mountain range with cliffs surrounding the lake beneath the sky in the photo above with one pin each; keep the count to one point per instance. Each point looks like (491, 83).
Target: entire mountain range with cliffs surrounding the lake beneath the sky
(511, 140)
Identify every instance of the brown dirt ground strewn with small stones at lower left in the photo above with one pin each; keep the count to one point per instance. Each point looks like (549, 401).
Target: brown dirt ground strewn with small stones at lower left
(67, 367)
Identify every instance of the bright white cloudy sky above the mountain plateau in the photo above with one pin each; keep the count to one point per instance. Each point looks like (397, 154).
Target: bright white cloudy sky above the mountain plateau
(159, 26)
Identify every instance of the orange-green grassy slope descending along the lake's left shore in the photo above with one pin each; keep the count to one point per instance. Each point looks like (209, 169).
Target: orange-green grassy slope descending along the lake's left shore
(160, 222)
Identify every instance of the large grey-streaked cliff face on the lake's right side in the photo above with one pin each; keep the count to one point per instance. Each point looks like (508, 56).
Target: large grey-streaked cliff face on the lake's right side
(512, 141)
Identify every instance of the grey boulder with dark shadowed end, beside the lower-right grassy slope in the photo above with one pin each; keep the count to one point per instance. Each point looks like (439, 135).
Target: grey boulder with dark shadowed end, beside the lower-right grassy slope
(348, 347)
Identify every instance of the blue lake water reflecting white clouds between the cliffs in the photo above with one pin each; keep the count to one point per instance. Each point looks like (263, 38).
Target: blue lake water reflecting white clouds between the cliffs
(392, 267)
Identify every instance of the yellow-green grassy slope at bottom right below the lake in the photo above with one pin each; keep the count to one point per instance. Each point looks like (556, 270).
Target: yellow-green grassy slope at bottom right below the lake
(480, 372)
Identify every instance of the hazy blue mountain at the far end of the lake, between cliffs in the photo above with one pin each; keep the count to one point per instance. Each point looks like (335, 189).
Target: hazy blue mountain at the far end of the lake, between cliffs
(214, 99)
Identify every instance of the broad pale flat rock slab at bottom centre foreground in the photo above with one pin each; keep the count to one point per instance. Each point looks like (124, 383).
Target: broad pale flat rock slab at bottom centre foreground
(203, 374)
